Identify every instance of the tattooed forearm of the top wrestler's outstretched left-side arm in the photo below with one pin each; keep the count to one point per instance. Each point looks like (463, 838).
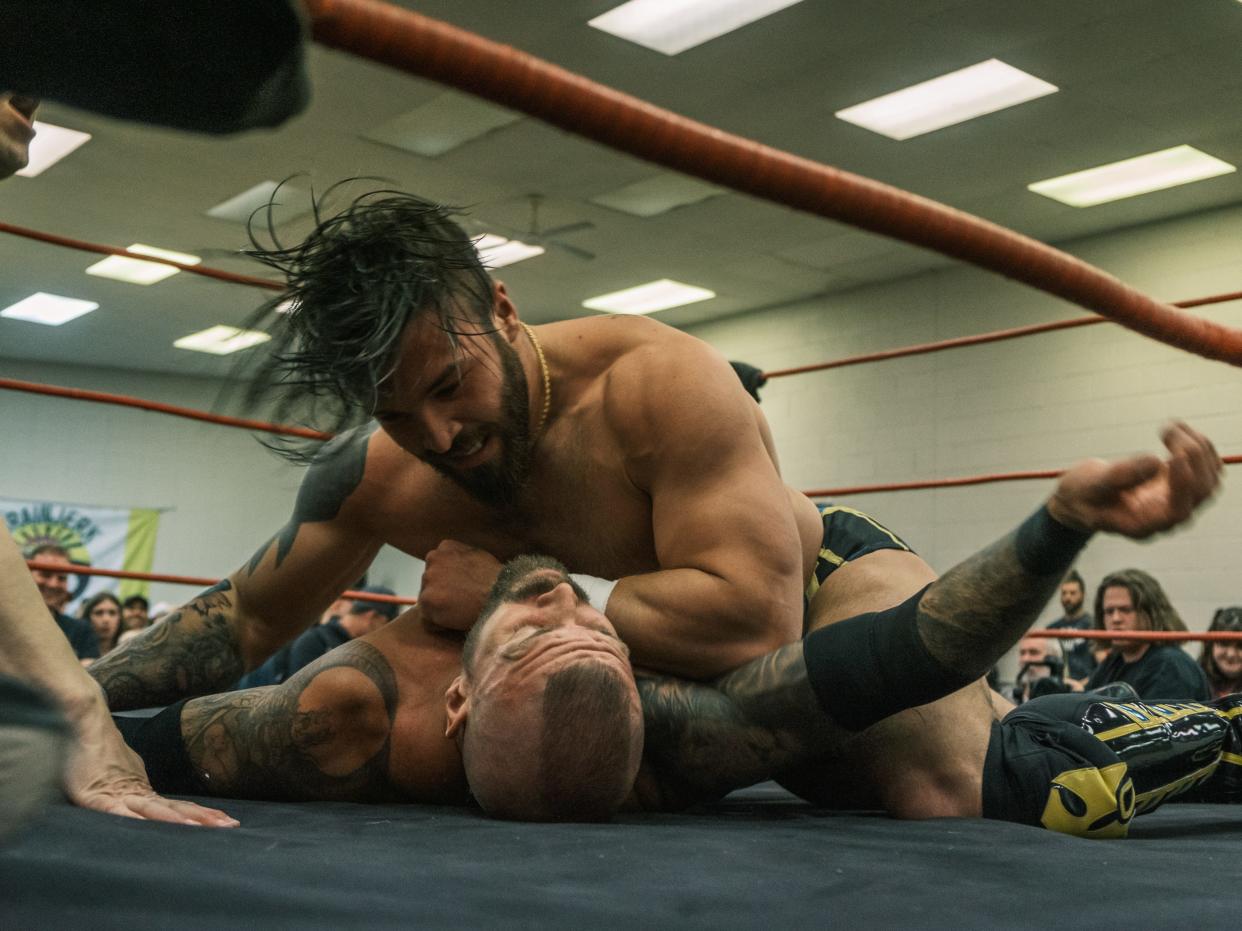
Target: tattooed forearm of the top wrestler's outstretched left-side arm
(191, 652)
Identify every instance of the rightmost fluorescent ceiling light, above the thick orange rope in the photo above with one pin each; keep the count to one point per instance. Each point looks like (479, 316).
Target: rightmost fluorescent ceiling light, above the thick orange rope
(1130, 178)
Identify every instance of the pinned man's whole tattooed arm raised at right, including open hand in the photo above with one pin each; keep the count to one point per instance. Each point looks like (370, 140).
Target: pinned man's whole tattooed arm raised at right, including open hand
(777, 712)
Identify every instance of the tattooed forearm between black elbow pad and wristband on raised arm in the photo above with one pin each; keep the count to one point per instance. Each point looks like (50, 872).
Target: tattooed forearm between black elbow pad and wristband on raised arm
(974, 614)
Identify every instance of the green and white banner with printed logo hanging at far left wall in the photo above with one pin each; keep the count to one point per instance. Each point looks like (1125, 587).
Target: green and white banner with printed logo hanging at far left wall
(105, 538)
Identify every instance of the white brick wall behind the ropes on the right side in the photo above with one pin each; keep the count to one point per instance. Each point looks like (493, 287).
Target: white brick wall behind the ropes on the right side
(1039, 403)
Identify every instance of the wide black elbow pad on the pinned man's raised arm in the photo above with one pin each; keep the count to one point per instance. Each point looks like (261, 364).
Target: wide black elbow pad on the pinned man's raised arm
(875, 666)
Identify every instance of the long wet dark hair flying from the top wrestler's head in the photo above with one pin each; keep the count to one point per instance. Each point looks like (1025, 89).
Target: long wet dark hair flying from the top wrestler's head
(353, 286)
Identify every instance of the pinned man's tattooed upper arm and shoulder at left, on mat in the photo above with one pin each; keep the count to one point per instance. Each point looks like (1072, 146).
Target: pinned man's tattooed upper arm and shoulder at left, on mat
(302, 740)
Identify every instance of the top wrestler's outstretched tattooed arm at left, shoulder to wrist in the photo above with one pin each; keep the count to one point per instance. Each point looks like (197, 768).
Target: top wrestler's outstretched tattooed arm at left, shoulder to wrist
(207, 645)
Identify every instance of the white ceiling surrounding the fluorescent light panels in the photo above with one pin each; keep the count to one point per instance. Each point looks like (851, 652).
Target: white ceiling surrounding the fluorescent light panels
(1136, 76)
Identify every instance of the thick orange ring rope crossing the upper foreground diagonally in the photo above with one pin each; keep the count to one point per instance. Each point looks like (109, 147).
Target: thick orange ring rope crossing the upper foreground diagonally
(434, 50)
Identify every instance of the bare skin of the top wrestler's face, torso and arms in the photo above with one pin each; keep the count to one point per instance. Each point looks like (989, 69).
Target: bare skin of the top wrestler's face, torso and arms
(656, 469)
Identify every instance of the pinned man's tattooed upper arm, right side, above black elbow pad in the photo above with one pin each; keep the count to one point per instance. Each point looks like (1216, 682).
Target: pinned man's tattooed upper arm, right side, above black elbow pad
(704, 742)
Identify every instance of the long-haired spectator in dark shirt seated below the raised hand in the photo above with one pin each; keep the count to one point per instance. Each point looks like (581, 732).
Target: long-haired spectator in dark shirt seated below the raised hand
(1132, 600)
